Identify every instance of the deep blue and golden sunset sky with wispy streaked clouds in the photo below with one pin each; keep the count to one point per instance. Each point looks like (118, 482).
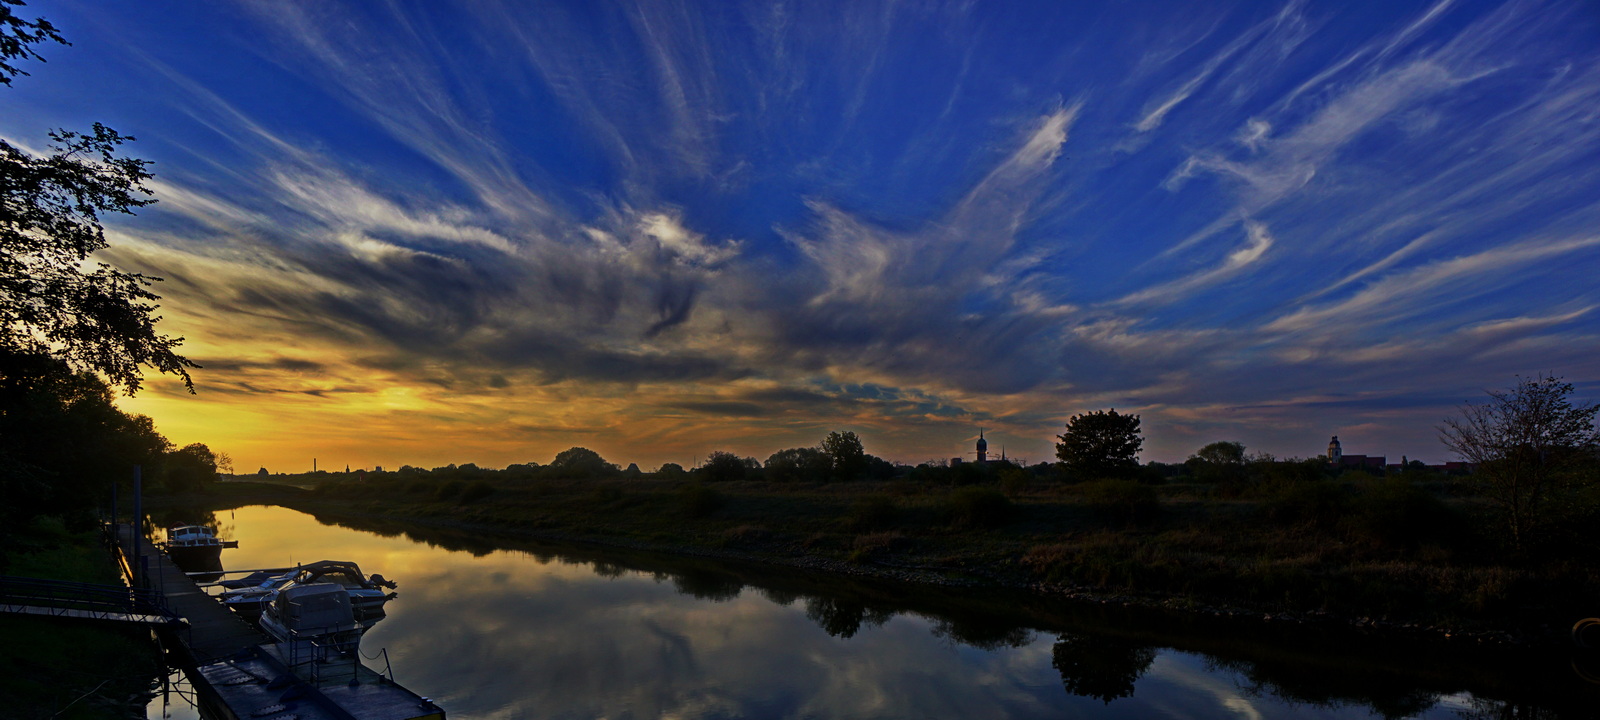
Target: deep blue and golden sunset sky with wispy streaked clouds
(422, 233)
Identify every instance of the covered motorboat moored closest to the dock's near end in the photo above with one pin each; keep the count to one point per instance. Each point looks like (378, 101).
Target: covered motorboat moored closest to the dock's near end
(314, 622)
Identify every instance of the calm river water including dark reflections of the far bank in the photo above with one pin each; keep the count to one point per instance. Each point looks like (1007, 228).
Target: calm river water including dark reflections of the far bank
(598, 634)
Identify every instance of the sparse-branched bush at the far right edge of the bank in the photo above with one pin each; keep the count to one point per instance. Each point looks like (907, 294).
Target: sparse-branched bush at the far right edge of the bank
(1530, 446)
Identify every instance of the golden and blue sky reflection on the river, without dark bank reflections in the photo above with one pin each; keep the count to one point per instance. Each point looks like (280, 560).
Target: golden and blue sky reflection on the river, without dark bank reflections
(511, 634)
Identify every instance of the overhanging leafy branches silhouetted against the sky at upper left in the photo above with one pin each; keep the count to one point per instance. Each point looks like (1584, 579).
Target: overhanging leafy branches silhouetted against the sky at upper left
(50, 305)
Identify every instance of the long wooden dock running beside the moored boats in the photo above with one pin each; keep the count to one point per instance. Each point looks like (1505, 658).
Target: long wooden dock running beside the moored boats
(241, 673)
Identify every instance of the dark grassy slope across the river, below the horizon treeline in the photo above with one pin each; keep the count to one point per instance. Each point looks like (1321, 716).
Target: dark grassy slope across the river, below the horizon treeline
(1369, 551)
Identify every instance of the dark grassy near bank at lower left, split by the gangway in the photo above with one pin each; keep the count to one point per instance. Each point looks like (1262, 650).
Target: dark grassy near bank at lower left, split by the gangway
(65, 668)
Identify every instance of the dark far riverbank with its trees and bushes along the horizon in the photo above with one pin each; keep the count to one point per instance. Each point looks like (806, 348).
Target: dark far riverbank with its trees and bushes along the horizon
(1505, 553)
